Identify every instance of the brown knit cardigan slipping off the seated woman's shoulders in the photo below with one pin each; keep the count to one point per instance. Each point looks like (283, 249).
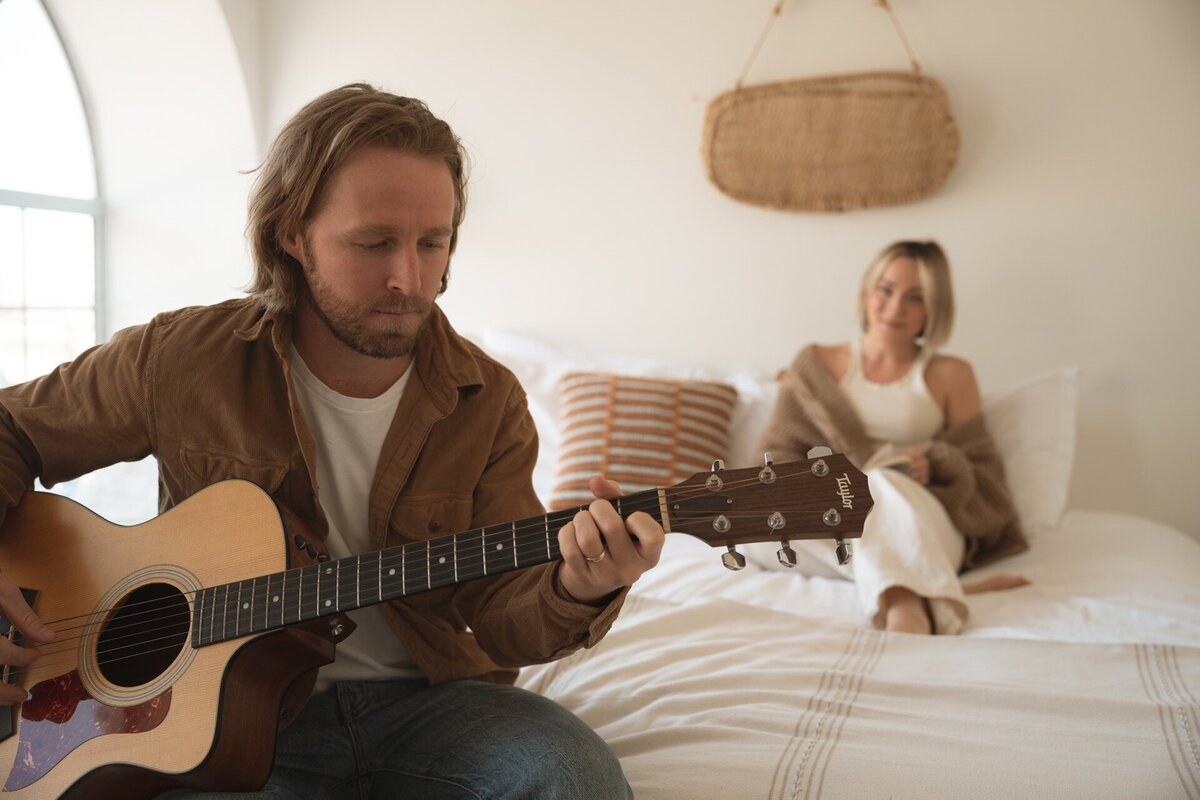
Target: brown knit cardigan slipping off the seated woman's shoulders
(967, 474)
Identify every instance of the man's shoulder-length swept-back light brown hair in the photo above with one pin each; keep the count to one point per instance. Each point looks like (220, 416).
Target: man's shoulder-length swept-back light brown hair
(309, 149)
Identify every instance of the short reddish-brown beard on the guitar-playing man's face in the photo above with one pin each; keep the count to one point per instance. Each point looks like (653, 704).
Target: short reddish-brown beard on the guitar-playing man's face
(358, 326)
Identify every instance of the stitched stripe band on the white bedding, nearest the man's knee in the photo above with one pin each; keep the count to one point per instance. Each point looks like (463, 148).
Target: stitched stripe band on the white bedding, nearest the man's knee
(803, 763)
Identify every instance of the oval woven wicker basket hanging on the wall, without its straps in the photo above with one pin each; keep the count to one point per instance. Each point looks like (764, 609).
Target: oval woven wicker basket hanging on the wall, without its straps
(832, 143)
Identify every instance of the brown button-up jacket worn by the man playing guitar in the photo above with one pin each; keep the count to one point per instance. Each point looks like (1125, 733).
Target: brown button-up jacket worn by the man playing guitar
(207, 392)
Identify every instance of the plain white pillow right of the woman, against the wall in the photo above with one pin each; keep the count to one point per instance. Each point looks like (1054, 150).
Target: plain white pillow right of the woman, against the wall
(1034, 426)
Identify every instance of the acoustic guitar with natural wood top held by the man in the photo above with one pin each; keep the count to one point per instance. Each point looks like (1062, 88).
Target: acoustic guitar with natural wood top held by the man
(177, 639)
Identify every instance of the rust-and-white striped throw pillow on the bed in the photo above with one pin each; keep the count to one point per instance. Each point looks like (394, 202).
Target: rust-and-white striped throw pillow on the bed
(640, 432)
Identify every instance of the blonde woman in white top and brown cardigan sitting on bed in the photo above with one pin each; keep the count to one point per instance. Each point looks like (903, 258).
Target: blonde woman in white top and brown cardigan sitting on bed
(891, 399)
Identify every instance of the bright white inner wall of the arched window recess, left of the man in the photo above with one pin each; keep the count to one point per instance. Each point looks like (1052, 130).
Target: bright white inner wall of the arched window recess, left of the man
(173, 129)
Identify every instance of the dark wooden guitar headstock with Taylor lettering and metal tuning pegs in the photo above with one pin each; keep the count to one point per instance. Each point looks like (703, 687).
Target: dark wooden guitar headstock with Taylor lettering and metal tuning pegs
(818, 498)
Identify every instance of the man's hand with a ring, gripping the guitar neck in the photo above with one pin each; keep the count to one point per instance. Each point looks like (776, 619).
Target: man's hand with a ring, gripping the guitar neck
(602, 552)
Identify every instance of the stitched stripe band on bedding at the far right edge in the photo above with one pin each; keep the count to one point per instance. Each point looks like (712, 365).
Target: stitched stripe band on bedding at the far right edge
(1178, 711)
